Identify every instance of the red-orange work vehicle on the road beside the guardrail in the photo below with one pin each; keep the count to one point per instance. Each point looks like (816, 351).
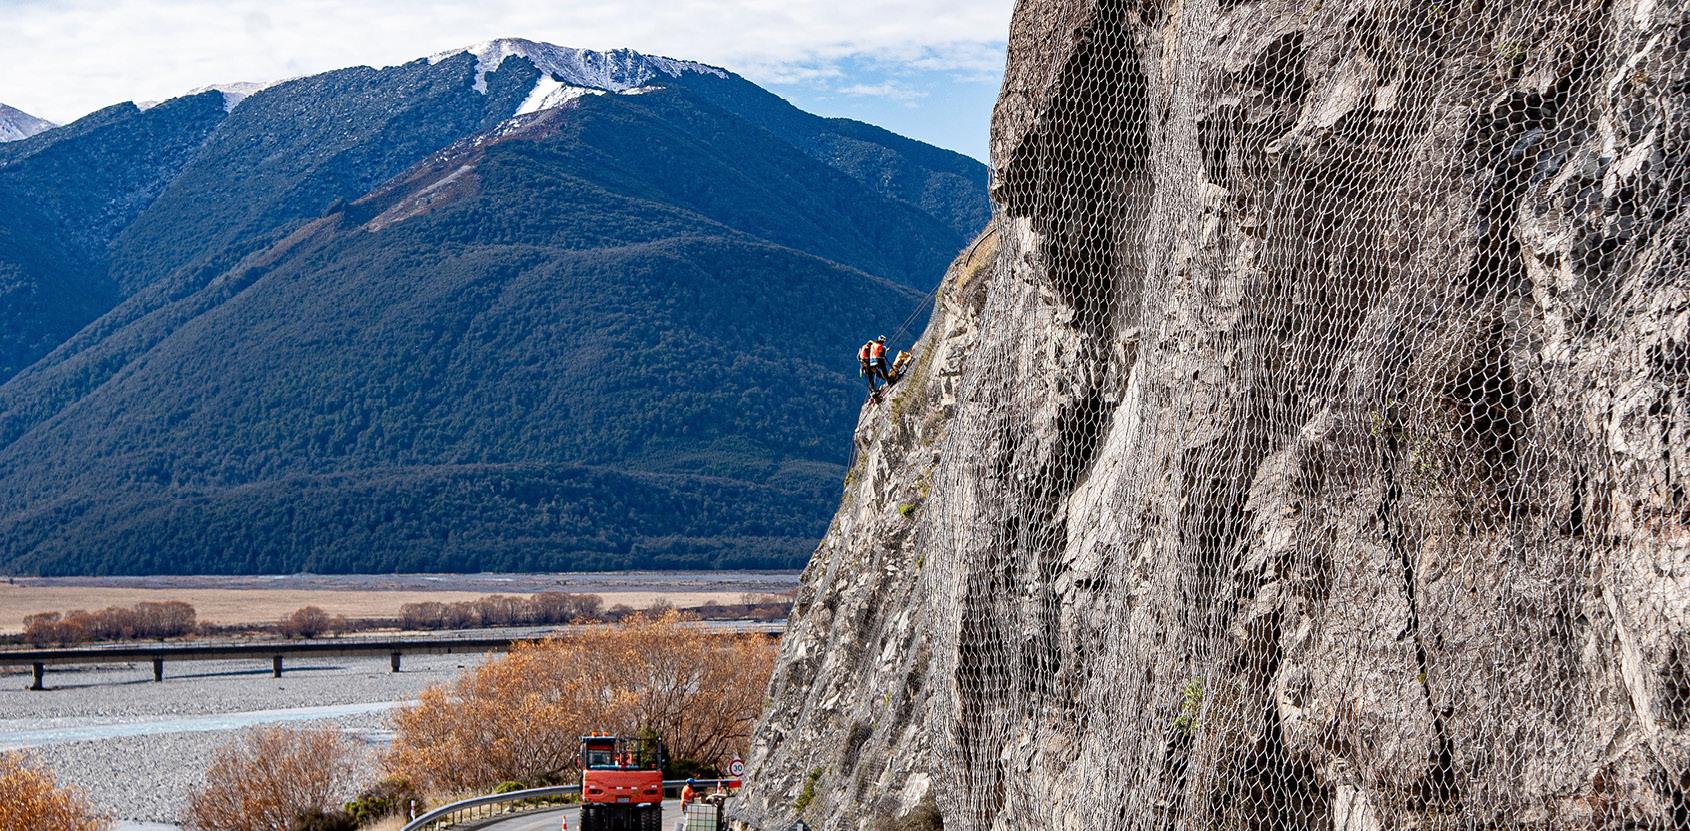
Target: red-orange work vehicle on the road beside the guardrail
(621, 785)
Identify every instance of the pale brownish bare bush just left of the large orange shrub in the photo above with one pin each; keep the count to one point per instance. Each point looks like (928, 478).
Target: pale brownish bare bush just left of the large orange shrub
(270, 776)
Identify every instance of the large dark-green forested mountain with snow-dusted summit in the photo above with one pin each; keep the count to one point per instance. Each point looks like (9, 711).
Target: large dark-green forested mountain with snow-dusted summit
(405, 320)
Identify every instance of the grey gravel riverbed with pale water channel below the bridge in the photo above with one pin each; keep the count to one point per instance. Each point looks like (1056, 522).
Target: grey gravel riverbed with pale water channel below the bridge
(166, 739)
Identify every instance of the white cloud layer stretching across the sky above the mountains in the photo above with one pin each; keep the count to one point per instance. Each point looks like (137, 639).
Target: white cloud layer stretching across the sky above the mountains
(67, 58)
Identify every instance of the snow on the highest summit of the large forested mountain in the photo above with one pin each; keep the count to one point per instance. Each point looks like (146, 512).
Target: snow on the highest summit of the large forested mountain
(618, 70)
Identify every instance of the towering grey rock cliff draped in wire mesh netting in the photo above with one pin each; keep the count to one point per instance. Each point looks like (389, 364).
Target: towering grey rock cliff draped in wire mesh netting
(1319, 457)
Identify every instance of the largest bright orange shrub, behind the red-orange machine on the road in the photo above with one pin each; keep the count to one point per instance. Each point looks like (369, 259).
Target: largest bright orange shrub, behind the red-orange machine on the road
(521, 717)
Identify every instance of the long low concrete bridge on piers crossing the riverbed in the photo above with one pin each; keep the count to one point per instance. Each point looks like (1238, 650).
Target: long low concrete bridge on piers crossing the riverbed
(280, 651)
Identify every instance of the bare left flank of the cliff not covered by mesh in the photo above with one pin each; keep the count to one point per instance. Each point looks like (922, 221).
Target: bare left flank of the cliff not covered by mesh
(849, 714)
